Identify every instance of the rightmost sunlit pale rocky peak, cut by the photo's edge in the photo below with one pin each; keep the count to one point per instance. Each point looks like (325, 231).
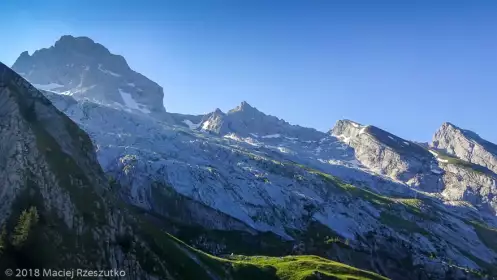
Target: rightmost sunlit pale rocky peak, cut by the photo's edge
(466, 145)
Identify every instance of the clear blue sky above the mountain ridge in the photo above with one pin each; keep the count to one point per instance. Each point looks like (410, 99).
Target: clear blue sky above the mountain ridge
(405, 66)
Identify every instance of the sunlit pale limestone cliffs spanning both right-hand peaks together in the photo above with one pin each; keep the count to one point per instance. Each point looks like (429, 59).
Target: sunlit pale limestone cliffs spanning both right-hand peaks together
(457, 163)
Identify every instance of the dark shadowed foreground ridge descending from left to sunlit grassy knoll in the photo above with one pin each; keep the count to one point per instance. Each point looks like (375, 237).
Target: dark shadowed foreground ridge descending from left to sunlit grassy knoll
(59, 211)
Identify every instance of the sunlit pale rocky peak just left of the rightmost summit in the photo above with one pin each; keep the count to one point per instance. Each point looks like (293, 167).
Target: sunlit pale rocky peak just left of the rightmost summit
(388, 154)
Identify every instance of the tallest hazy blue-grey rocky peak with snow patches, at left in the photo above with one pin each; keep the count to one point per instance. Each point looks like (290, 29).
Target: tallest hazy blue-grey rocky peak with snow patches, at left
(80, 67)
